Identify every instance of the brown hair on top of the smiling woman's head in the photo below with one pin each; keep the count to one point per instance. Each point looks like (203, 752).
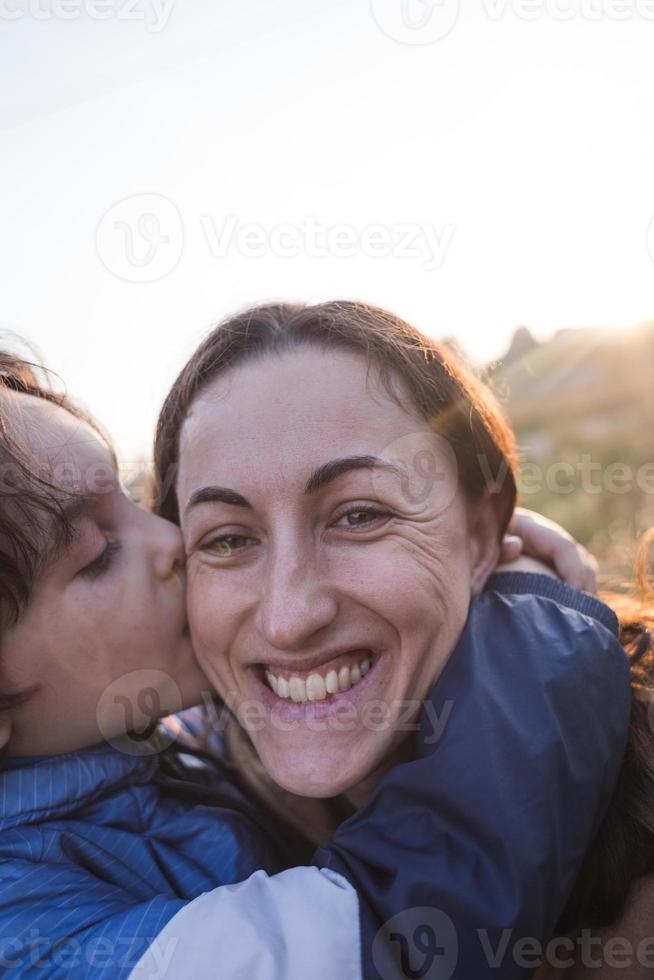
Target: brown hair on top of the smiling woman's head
(456, 404)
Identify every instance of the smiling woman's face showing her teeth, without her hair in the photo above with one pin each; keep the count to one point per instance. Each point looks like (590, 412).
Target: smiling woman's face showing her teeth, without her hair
(331, 561)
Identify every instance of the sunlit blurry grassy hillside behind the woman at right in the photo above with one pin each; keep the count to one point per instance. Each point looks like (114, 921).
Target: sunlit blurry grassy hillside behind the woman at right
(582, 406)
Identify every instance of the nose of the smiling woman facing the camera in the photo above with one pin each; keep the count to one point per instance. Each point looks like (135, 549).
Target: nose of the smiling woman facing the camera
(296, 602)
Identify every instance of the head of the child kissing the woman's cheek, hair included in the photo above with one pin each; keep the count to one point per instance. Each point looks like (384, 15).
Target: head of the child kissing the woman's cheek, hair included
(93, 637)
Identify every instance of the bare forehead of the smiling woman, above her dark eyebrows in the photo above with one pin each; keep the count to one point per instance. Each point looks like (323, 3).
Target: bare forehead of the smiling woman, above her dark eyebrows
(280, 419)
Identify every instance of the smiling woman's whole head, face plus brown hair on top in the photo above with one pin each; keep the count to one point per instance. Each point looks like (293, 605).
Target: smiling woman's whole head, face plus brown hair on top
(337, 523)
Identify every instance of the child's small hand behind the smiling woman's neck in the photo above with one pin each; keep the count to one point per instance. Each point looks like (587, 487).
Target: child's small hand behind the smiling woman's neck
(531, 536)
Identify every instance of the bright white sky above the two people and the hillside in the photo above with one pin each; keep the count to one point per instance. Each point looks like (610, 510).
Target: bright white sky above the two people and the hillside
(471, 166)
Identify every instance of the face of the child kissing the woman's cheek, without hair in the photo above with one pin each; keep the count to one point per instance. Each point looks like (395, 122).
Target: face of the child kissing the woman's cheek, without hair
(102, 645)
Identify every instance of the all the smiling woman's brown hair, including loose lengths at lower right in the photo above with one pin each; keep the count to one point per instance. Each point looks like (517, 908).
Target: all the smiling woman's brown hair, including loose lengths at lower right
(463, 410)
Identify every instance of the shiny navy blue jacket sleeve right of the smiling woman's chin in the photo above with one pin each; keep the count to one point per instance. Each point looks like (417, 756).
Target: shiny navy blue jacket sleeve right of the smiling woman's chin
(467, 855)
